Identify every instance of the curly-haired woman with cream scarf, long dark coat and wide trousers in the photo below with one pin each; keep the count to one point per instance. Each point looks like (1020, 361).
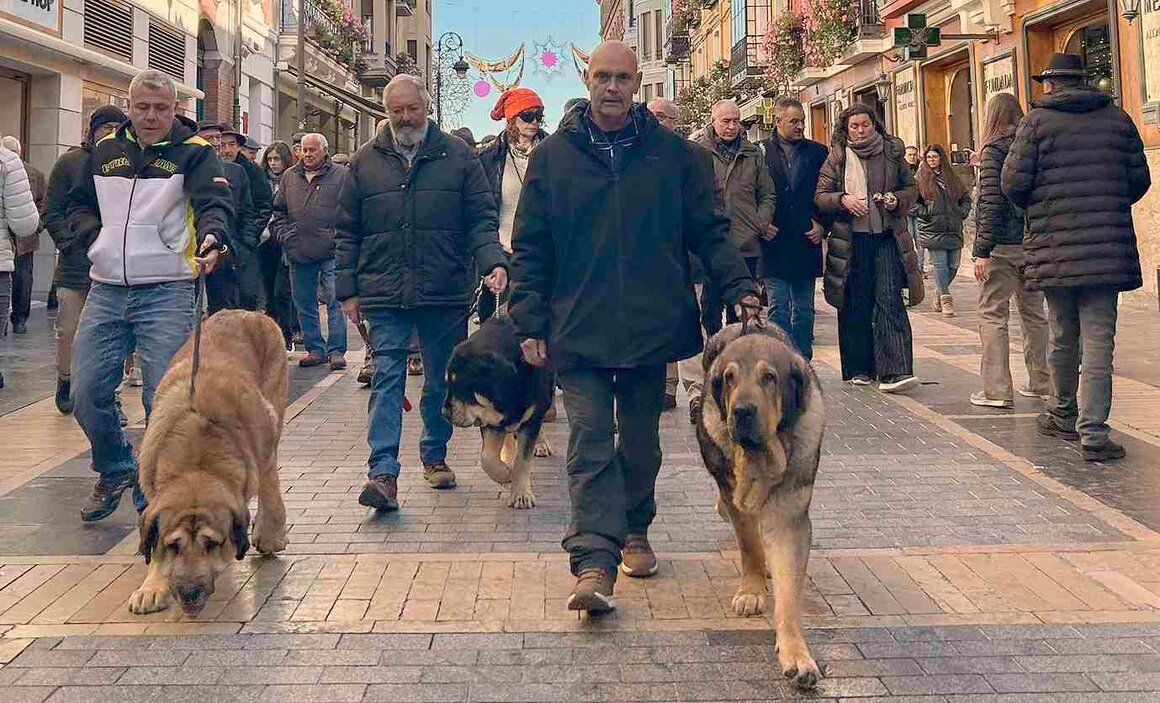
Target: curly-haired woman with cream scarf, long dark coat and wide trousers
(865, 192)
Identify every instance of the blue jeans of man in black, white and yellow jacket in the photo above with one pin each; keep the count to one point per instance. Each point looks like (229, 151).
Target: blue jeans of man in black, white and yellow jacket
(155, 321)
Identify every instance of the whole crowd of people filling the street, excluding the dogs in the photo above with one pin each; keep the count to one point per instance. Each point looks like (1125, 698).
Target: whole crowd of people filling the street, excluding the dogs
(589, 224)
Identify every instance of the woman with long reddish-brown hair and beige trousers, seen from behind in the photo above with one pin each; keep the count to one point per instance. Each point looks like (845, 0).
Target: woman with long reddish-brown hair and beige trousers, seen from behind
(998, 257)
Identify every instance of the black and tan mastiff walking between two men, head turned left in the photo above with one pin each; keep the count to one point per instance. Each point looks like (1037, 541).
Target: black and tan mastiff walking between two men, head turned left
(491, 387)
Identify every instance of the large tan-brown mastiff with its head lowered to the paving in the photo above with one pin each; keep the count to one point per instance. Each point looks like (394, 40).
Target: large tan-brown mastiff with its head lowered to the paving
(204, 461)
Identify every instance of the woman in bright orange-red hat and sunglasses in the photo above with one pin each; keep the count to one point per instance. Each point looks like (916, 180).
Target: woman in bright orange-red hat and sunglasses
(506, 162)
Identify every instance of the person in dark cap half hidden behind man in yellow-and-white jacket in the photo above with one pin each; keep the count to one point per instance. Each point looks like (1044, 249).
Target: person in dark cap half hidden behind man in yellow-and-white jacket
(71, 276)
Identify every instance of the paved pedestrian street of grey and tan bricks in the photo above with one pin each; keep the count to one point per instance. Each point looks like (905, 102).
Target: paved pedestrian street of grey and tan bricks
(958, 557)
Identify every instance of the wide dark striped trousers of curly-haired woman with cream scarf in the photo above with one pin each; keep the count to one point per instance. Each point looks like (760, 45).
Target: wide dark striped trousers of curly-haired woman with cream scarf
(874, 334)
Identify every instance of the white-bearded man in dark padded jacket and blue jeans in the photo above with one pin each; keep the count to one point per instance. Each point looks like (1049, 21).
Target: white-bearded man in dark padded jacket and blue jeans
(415, 212)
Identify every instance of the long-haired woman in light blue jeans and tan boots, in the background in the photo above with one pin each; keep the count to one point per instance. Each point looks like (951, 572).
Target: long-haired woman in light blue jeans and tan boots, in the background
(944, 205)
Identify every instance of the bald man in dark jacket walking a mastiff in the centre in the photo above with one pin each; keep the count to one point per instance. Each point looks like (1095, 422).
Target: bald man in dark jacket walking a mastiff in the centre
(612, 207)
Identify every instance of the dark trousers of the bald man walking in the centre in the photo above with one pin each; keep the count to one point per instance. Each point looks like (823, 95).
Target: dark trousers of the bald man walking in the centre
(612, 480)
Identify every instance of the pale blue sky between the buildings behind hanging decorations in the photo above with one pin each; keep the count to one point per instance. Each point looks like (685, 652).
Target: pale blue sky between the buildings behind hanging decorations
(494, 30)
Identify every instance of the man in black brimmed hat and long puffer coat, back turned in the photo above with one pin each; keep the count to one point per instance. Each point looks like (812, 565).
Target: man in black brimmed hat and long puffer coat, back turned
(1077, 168)
